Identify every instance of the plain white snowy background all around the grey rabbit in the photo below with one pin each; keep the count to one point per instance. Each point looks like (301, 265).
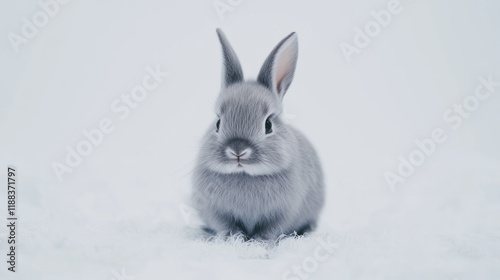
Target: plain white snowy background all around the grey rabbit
(123, 212)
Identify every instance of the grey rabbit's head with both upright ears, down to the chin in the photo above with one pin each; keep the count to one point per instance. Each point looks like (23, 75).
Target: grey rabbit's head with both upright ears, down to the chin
(248, 134)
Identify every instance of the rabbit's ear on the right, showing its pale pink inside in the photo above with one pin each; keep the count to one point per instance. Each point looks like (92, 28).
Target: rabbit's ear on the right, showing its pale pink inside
(279, 67)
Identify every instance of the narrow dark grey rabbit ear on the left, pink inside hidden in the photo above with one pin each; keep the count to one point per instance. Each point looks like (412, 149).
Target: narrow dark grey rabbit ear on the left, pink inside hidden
(231, 70)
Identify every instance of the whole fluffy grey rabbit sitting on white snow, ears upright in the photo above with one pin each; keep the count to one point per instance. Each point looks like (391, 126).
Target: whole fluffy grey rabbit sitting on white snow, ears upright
(255, 175)
